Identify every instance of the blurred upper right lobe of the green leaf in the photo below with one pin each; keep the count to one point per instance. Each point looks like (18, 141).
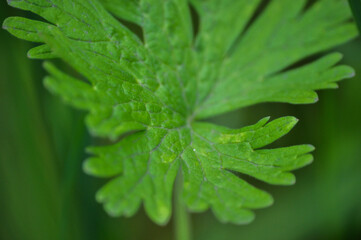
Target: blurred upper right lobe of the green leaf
(280, 37)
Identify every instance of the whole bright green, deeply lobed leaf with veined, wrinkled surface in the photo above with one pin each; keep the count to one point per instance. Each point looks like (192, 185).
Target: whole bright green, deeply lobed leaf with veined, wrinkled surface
(157, 91)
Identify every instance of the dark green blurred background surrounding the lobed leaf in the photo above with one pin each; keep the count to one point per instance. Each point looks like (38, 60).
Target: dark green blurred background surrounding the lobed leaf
(45, 195)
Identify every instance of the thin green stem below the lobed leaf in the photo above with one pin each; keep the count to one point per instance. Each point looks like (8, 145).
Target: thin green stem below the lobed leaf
(182, 225)
